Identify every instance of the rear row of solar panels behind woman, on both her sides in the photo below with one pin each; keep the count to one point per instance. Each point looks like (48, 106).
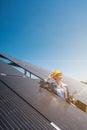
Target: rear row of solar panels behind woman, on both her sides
(73, 84)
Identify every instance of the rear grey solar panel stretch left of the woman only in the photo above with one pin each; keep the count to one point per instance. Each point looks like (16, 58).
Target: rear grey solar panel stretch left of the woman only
(38, 71)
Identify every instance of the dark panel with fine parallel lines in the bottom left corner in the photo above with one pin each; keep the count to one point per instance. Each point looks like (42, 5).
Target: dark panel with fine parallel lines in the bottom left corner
(17, 114)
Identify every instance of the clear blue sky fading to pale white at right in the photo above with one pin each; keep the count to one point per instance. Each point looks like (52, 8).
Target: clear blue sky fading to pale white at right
(48, 33)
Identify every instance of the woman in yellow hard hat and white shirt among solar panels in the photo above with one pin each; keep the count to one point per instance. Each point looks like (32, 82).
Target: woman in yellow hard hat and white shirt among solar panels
(60, 87)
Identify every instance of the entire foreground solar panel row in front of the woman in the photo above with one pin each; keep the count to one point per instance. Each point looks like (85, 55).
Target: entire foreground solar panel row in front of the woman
(25, 105)
